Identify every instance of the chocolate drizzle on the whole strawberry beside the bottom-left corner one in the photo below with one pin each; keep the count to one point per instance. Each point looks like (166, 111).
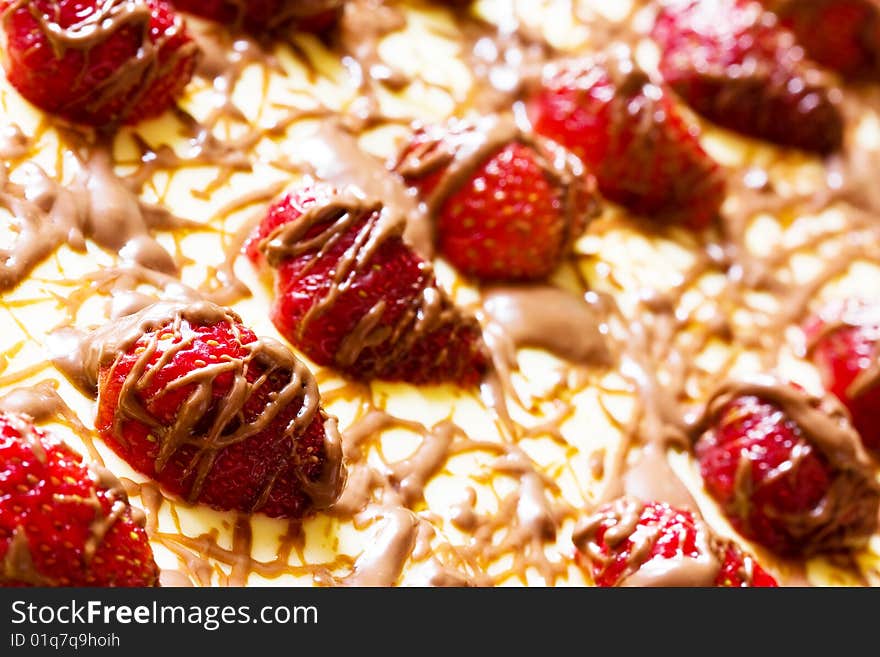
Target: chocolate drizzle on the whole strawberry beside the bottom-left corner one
(83, 360)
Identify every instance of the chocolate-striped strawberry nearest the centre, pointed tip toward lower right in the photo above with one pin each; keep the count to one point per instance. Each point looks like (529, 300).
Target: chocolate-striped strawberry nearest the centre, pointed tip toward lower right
(351, 294)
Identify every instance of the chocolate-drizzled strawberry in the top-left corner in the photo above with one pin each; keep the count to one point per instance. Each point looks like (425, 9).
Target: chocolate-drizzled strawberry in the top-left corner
(94, 62)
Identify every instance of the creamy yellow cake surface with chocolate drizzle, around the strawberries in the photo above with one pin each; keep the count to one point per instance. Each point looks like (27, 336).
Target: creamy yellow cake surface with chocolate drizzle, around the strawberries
(600, 374)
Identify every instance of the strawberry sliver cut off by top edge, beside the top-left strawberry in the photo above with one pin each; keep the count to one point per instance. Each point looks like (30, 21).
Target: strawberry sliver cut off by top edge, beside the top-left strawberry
(260, 15)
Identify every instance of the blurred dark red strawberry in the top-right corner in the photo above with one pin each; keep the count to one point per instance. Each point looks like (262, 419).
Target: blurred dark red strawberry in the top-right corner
(843, 35)
